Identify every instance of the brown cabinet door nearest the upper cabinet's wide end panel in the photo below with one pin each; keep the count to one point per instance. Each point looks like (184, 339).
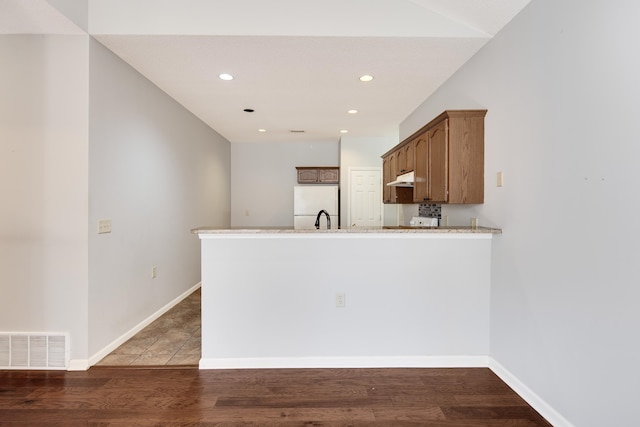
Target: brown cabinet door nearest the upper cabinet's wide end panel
(438, 163)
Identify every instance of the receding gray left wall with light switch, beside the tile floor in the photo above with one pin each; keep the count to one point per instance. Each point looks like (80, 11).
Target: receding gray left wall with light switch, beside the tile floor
(157, 172)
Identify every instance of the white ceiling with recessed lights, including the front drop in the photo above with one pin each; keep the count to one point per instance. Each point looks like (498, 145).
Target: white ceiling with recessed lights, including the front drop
(295, 62)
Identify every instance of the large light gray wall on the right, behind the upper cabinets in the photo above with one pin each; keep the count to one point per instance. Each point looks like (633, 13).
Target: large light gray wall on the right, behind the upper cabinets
(561, 86)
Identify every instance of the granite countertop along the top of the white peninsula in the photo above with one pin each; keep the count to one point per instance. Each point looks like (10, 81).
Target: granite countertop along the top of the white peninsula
(350, 230)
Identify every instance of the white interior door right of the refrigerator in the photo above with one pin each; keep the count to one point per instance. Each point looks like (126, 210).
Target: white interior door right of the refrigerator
(365, 200)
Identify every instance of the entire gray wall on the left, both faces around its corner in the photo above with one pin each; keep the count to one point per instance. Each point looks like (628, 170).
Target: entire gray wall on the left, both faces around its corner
(84, 137)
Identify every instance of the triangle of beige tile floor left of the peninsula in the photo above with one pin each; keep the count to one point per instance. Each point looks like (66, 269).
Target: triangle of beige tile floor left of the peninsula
(172, 339)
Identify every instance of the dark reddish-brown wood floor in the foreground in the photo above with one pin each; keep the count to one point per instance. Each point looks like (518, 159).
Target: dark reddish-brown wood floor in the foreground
(290, 397)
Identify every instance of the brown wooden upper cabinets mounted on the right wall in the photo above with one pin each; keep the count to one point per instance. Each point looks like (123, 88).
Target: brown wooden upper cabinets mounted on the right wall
(448, 158)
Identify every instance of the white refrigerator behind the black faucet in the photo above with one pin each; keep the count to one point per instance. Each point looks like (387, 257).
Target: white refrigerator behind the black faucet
(308, 200)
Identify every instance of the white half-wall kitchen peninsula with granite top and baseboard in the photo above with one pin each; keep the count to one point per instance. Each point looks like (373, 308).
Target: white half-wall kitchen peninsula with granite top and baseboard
(355, 297)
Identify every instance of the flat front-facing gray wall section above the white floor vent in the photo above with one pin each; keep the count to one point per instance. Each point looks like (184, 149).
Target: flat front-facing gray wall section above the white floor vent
(43, 185)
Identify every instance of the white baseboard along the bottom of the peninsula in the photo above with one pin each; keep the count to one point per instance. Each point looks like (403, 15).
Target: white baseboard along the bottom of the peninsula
(346, 362)
